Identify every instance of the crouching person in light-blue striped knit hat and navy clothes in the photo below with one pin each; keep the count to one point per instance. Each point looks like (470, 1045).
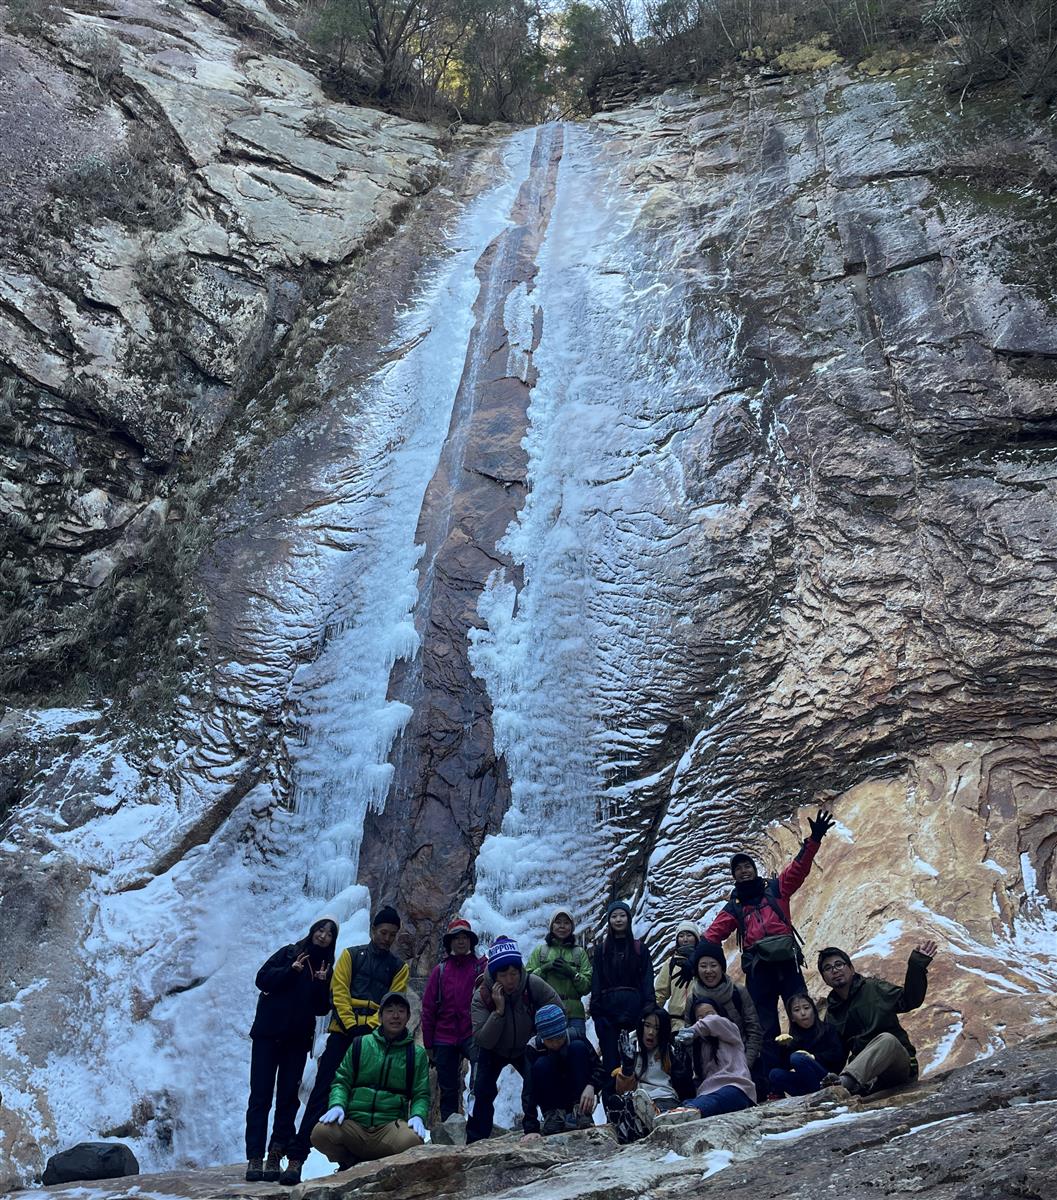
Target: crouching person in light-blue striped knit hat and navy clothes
(567, 1075)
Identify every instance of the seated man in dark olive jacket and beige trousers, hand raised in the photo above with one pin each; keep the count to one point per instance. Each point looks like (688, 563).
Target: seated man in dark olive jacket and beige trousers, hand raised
(864, 1012)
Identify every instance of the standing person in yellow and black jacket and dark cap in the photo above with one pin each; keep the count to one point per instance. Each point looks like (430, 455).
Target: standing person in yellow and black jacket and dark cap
(363, 976)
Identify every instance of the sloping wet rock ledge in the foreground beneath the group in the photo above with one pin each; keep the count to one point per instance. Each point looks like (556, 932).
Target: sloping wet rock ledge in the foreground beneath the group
(980, 1132)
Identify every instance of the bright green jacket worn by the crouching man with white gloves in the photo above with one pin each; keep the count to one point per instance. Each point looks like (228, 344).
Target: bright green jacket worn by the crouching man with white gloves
(376, 1091)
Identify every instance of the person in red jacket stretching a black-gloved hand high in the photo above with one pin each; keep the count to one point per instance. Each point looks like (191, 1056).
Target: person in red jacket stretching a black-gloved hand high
(759, 911)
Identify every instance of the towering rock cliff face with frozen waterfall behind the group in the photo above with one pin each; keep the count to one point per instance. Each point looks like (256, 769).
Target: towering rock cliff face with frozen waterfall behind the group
(728, 424)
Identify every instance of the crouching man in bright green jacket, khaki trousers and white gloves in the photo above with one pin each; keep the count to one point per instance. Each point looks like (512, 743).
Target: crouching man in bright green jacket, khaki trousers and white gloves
(380, 1100)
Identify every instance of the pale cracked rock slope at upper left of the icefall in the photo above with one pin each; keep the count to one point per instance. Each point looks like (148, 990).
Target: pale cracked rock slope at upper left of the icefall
(177, 189)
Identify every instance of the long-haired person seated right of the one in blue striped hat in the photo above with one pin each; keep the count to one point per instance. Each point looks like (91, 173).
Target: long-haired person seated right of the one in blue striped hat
(648, 1082)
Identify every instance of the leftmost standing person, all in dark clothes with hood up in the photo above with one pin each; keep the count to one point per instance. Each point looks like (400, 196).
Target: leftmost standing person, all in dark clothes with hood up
(295, 991)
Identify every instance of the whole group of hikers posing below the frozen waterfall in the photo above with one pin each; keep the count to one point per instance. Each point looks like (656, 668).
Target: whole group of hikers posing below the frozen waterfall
(682, 1037)
